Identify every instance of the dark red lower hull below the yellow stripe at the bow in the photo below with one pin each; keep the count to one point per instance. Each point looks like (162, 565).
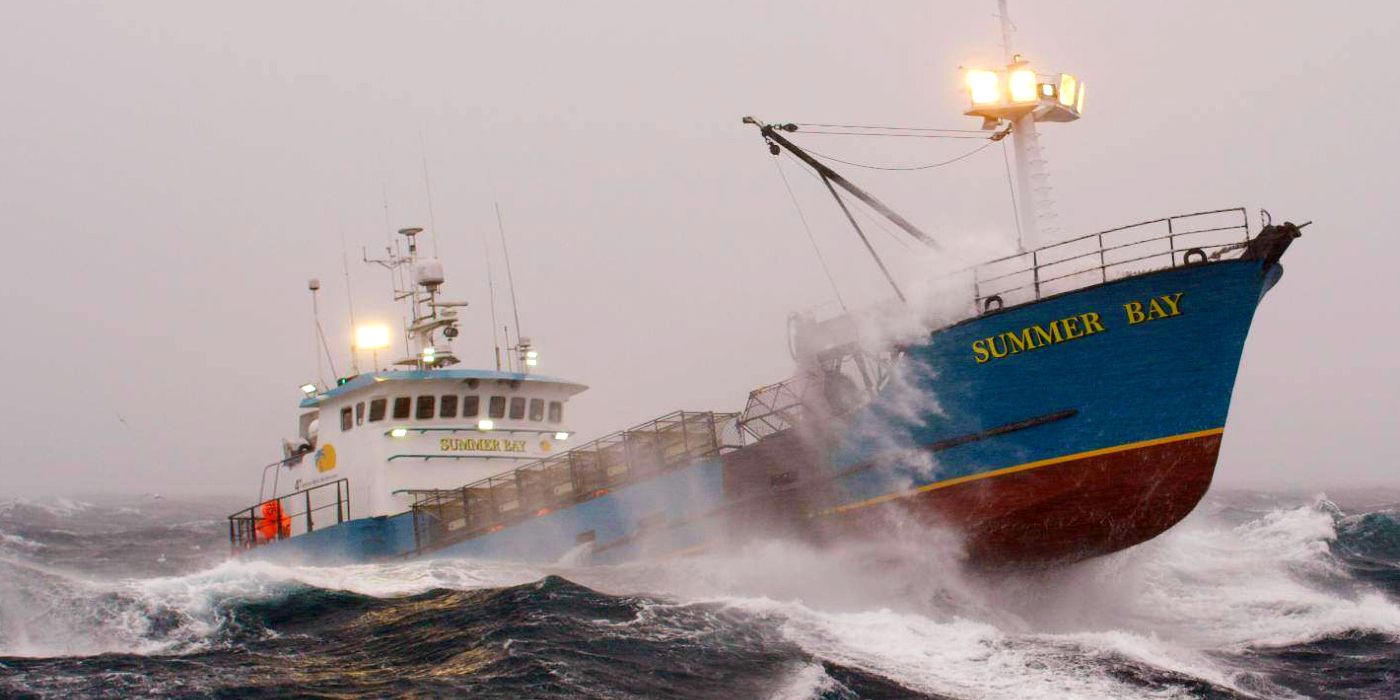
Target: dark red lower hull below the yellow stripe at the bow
(1066, 510)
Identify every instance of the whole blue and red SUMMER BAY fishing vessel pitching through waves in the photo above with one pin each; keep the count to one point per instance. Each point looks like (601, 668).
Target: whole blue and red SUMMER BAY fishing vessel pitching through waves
(1072, 407)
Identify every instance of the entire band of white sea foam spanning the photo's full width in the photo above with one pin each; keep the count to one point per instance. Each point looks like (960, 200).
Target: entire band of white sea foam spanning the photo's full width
(904, 610)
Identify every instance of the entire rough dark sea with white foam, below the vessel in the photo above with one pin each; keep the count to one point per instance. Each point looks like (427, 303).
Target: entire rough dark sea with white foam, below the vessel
(1255, 596)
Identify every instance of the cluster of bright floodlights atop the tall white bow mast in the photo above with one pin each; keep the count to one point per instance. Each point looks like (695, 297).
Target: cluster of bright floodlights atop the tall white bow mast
(1018, 90)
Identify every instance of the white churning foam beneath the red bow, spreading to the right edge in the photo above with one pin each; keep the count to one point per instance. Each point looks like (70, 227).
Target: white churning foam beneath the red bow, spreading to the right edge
(909, 614)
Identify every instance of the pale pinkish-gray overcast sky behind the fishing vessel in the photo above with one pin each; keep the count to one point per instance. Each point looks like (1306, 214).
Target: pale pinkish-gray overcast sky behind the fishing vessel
(173, 173)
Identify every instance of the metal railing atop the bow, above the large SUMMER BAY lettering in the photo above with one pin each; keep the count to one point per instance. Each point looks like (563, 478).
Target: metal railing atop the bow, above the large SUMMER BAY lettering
(1109, 255)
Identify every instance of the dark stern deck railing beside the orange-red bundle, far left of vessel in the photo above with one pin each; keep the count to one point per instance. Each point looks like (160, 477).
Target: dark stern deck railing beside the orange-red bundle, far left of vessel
(295, 514)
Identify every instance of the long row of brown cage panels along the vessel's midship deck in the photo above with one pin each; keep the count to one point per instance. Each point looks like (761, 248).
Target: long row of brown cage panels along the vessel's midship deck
(447, 516)
